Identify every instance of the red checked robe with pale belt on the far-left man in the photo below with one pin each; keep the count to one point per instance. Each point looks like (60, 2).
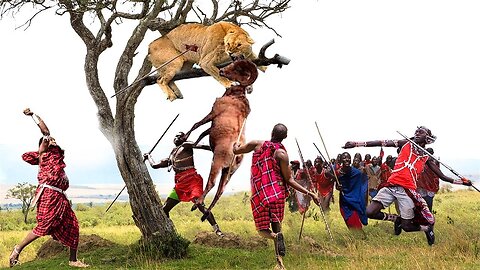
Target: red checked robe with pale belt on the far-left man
(55, 216)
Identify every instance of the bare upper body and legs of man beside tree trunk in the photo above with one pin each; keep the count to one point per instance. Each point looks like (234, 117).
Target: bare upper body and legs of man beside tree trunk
(180, 157)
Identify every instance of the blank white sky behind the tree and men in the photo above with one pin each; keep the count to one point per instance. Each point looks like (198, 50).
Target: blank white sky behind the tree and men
(361, 69)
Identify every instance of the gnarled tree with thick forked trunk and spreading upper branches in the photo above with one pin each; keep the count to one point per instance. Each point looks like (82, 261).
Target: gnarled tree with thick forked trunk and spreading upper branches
(118, 128)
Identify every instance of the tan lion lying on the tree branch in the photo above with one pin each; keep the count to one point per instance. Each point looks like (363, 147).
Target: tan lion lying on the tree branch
(216, 43)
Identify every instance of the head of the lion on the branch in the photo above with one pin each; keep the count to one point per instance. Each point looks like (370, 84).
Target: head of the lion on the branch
(238, 43)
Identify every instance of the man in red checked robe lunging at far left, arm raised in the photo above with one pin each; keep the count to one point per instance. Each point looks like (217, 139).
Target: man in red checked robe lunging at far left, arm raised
(55, 216)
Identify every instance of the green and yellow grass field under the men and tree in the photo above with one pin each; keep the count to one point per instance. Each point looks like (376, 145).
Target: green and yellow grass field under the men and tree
(457, 240)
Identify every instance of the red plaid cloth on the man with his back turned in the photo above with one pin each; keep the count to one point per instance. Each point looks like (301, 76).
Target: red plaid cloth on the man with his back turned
(268, 189)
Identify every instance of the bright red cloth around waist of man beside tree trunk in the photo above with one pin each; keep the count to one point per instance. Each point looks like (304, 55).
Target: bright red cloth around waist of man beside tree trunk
(188, 185)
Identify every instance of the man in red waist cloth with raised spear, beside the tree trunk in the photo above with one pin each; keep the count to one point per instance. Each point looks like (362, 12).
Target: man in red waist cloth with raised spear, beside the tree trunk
(188, 183)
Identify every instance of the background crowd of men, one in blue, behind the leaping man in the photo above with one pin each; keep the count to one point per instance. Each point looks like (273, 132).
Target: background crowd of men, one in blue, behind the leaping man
(359, 187)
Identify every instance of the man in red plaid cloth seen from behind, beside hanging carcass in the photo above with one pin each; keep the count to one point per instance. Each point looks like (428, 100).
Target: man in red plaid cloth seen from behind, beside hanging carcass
(270, 175)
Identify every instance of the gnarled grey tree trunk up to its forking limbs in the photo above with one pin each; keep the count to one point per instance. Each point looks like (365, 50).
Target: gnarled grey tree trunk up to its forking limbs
(119, 131)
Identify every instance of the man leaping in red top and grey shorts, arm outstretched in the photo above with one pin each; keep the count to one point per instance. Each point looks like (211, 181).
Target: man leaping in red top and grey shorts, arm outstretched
(401, 185)
